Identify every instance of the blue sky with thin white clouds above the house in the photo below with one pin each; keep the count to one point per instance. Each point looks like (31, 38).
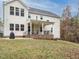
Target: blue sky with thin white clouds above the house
(54, 6)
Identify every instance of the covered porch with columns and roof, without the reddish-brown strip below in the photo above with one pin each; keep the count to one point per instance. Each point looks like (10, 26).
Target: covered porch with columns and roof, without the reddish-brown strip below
(38, 27)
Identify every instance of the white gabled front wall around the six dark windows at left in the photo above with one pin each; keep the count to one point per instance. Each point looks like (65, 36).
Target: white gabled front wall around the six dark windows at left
(13, 18)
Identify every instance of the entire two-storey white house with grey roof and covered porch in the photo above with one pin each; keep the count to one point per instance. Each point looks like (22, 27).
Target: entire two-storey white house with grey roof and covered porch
(21, 19)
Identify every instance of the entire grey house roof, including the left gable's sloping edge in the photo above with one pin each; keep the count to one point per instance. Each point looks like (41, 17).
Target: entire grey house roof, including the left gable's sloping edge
(36, 11)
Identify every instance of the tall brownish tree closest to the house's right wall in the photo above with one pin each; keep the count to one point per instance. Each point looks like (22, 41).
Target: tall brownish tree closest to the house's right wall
(65, 22)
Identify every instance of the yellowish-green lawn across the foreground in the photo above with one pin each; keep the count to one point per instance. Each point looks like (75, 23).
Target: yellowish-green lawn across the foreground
(38, 49)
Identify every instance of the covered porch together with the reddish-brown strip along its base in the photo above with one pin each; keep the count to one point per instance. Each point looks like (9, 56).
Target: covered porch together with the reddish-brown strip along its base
(36, 29)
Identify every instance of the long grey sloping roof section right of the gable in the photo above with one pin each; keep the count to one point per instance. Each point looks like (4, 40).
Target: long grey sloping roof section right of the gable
(42, 12)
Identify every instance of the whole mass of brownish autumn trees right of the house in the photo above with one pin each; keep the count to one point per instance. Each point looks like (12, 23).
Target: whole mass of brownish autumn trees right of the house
(70, 26)
